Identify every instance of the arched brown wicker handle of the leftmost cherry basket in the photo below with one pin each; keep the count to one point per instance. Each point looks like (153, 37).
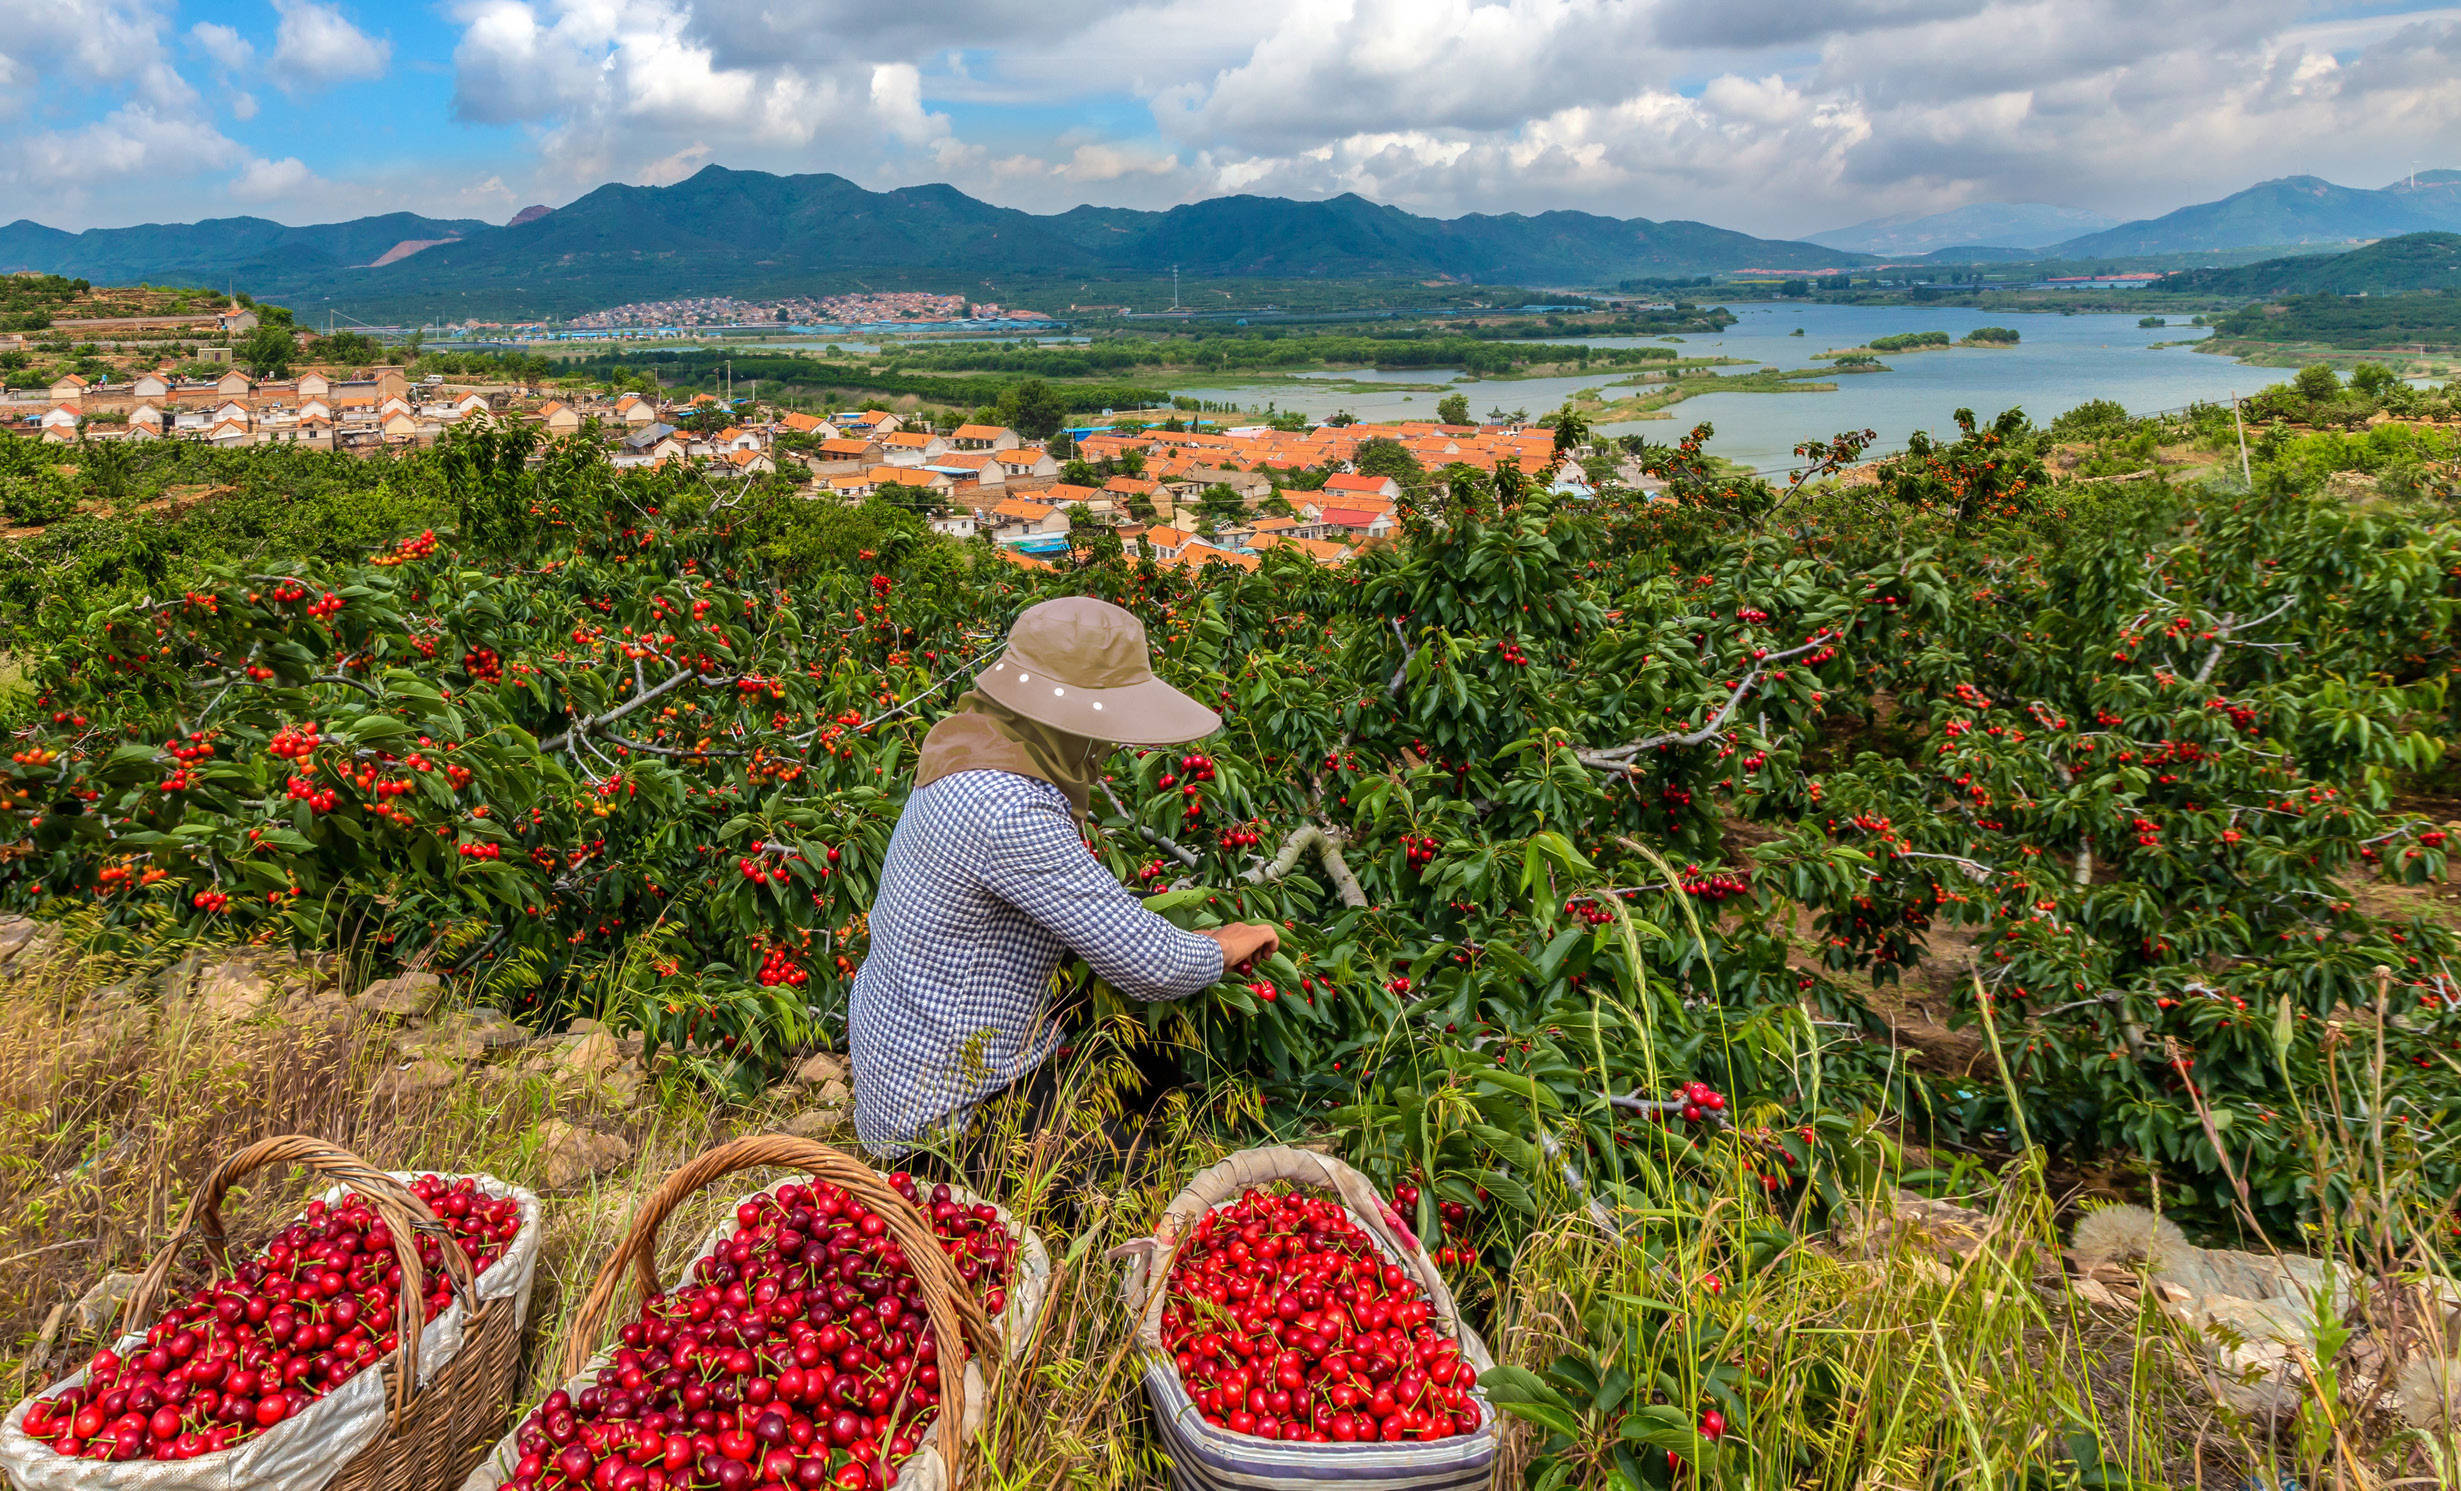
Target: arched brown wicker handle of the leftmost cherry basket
(390, 1199)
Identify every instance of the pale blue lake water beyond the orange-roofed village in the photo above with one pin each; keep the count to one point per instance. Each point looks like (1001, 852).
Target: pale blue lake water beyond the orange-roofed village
(2061, 363)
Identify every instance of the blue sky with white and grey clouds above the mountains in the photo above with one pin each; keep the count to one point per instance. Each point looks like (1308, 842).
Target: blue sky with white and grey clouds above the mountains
(1776, 117)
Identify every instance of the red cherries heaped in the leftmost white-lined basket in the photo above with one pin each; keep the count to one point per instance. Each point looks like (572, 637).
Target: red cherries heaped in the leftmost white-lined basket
(297, 1322)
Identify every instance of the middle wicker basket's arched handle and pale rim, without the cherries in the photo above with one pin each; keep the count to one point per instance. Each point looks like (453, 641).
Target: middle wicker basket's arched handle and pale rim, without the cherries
(956, 1320)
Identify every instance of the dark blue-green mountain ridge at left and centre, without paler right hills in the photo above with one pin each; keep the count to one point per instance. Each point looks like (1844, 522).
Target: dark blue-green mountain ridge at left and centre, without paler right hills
(730, 233)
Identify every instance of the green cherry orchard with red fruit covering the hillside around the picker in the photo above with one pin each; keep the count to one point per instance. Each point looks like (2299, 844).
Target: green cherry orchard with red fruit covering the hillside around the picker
(1603, 830)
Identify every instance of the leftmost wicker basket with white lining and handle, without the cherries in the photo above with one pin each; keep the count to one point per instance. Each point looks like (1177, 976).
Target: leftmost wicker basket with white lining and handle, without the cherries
(415, 1423)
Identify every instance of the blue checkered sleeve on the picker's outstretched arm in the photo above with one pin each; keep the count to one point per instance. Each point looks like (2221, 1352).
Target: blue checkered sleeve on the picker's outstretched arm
(1040, 867)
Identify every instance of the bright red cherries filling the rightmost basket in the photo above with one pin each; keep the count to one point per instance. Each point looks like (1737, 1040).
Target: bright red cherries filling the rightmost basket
(1288, 1322)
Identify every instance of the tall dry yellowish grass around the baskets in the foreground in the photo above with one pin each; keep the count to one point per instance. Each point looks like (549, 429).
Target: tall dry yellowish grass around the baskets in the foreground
(1872, 1364)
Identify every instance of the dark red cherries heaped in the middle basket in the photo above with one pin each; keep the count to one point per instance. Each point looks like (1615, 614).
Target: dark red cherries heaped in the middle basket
(796, 1357)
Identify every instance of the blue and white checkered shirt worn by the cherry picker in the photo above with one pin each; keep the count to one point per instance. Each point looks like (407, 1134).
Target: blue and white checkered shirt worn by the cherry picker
(983, 892)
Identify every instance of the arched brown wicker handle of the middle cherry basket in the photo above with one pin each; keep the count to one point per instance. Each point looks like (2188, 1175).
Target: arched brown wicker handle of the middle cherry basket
(956, 1318)
